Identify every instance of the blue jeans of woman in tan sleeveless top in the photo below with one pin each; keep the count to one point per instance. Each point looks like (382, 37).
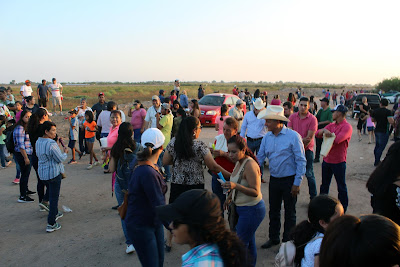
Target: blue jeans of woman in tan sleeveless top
(250, 218)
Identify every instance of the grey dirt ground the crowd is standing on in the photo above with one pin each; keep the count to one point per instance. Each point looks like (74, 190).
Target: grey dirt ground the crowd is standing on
(92, 236)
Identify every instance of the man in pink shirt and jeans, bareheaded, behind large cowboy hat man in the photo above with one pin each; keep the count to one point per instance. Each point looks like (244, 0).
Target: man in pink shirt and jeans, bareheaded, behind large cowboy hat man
(306, 125)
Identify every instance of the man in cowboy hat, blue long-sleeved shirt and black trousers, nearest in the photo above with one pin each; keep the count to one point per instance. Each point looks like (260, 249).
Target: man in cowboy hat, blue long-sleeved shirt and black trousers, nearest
(287, 165)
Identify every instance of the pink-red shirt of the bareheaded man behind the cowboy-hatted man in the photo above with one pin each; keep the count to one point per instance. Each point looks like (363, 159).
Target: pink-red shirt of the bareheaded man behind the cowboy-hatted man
(302, 126)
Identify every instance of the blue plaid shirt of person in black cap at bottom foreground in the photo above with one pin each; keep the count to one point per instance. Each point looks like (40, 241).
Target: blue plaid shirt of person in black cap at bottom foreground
(205, 255)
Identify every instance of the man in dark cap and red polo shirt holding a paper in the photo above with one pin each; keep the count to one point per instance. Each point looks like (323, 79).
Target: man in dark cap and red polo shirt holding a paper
(335, 162)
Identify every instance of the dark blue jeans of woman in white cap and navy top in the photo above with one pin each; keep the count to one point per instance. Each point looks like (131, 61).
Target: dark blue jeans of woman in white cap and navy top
(149, 244)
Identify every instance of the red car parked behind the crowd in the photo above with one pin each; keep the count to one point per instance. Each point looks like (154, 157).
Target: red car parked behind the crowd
(210, 106)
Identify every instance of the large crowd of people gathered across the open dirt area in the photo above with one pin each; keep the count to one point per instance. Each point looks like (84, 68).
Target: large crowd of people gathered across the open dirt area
(159, 152)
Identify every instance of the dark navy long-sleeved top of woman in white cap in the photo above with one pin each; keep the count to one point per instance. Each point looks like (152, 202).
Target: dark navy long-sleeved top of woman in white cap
(146, 191)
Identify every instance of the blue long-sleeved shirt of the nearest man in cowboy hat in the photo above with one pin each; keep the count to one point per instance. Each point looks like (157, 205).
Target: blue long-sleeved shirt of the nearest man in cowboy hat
(285, 153)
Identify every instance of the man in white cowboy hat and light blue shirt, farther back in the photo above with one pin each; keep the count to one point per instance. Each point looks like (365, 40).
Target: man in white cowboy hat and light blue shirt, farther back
(254, 129)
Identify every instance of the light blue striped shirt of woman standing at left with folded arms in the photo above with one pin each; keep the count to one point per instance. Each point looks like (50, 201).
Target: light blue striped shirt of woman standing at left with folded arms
(50, 158)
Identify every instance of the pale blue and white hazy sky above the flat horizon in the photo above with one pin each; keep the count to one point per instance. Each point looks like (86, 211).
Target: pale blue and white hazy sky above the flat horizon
(342, 41)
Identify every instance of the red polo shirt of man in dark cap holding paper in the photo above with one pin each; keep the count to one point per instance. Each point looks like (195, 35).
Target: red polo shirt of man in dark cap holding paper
(343, 132)
